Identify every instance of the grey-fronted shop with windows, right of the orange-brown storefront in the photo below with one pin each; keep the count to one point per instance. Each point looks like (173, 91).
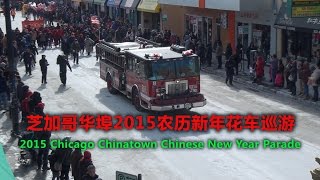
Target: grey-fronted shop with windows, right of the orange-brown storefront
(255, 24)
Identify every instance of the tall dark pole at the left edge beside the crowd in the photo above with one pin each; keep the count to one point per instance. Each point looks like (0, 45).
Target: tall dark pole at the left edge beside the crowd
(14, 112)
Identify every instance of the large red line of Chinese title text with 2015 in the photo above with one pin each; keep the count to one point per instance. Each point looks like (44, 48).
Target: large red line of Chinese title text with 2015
(230, 122)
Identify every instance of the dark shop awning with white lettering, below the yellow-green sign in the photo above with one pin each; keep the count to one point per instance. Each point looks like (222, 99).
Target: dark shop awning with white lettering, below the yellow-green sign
(284, 21)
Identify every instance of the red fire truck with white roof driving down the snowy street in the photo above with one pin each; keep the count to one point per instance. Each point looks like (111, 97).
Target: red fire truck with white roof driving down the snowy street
(155, 78)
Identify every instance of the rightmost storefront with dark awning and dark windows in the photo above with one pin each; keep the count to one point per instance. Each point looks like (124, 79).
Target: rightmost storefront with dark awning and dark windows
(299, 33)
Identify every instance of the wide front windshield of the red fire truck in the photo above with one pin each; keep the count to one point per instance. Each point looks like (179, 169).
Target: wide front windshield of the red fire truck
(173, 68)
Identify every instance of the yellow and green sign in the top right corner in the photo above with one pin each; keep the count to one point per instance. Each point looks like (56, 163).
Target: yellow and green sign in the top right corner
(305, 8)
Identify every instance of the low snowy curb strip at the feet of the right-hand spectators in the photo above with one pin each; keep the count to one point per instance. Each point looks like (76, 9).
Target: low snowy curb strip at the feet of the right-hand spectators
(262, 87)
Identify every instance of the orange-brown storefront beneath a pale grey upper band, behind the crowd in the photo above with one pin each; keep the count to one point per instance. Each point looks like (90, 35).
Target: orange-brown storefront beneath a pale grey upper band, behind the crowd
(203, 18)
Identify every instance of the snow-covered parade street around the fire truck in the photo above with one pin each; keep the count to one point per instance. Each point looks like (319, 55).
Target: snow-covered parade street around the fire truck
(85, 92)
